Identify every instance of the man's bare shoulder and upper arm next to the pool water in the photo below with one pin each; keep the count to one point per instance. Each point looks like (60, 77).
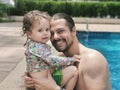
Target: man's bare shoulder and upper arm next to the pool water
(96, 72)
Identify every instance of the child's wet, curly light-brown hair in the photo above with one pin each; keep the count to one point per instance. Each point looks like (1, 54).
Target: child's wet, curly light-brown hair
(31, 17)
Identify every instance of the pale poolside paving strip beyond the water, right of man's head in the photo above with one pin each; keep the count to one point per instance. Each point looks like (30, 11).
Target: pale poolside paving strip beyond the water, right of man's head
(98, 27)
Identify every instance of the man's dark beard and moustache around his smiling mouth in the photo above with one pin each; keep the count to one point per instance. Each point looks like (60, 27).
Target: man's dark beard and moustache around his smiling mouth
(68, 45)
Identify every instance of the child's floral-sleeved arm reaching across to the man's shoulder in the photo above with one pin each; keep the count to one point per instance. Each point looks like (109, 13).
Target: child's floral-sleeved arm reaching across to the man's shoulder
(48, 57)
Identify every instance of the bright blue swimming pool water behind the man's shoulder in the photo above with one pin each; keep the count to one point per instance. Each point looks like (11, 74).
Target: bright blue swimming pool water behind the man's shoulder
(109, 45)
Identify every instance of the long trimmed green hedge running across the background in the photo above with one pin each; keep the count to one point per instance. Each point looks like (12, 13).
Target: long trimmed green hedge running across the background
(89, 9)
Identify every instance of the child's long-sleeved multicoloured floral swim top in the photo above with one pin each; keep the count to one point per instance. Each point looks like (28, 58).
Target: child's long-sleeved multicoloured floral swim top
(39, 57)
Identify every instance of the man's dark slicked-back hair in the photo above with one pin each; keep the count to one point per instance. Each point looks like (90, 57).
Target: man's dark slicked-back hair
(69, 21)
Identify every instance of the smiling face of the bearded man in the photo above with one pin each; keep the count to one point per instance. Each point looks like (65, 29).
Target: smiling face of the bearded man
(61, 36)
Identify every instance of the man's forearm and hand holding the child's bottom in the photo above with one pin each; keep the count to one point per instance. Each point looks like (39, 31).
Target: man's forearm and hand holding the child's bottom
(48, 84)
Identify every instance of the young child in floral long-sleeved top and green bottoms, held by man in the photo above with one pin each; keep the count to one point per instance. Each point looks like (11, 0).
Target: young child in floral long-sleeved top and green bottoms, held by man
(40, 60)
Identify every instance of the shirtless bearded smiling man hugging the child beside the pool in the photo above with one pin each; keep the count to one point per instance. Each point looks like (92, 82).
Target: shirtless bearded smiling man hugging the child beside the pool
(93, 69)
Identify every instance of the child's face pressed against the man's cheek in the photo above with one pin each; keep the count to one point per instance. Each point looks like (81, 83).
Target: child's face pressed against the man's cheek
(40, 31)
